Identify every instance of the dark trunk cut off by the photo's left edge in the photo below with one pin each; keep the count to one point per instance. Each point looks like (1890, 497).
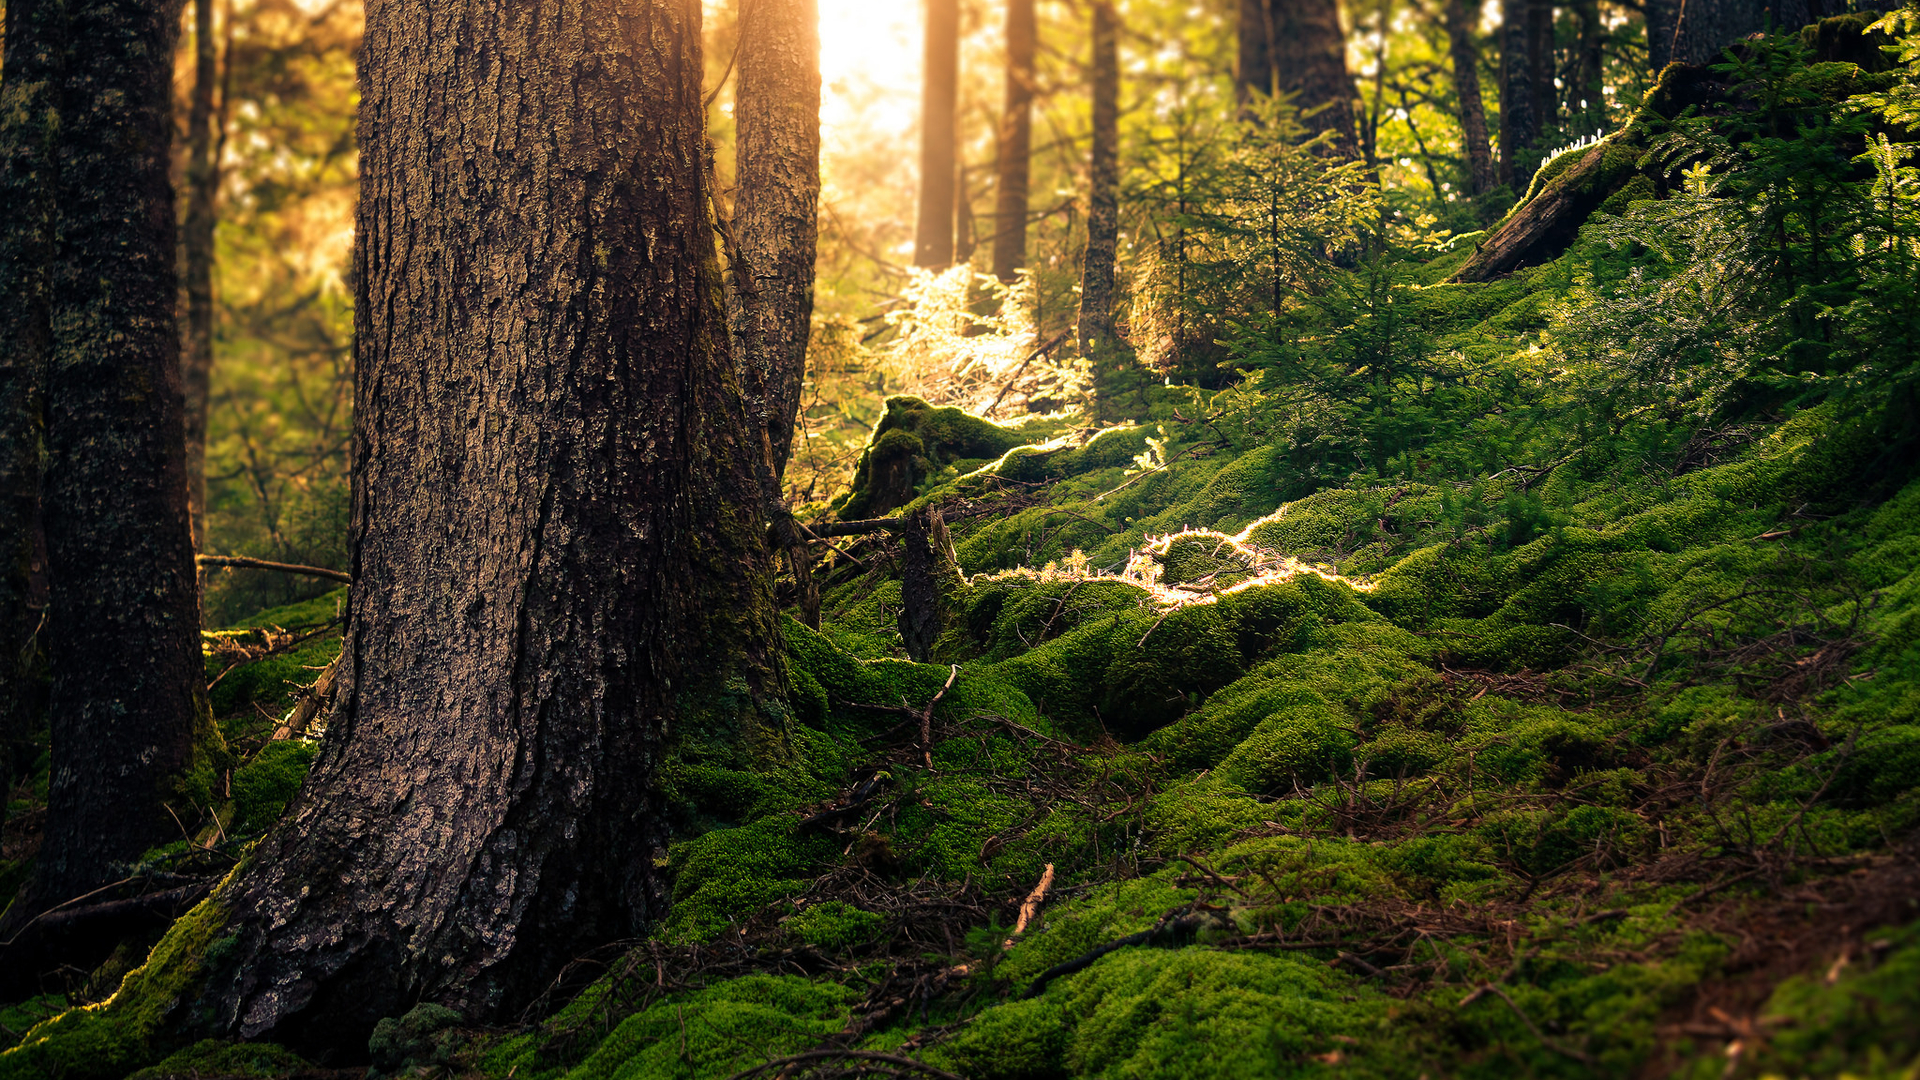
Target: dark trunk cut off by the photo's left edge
(28, 76)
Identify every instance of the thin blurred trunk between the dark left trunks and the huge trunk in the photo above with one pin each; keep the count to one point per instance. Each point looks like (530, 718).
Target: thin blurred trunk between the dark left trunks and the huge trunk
(203, 189)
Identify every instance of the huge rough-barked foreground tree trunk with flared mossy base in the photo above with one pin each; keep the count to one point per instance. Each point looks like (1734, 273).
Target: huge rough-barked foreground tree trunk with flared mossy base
(560, 535)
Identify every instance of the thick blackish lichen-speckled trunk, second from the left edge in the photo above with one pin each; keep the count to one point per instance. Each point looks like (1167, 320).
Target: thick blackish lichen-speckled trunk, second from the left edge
(124, 614)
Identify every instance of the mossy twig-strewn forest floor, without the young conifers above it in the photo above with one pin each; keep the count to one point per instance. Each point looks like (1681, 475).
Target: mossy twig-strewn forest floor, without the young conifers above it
(1595, 768)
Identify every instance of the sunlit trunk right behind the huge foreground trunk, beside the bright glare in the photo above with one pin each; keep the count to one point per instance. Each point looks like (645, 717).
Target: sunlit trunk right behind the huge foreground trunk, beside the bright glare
(777, 207)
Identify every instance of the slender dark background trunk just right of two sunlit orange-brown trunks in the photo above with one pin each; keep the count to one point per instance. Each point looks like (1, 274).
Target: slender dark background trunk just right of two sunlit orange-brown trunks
(1103, 191)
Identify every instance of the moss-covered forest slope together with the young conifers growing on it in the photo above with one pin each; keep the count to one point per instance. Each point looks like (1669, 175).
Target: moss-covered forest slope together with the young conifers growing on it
(1489, 681)
